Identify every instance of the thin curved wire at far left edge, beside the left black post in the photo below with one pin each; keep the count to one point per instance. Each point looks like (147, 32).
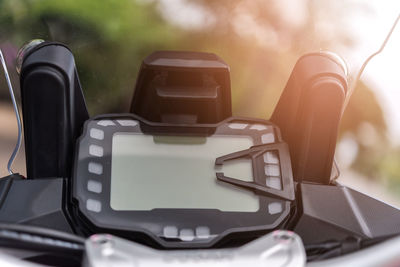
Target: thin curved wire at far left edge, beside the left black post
(18, 144)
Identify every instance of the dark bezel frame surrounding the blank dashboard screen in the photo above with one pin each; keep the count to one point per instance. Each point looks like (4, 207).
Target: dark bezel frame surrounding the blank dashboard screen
(95, 206)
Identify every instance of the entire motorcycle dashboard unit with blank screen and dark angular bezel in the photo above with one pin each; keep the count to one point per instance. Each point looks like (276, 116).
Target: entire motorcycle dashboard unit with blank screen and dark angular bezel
(181, 185)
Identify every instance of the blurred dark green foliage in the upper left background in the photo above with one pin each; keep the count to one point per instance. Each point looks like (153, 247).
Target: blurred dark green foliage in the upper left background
(108, 38)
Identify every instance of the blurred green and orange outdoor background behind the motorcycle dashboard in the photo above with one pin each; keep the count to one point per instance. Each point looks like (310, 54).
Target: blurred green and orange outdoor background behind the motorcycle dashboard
(260, 40)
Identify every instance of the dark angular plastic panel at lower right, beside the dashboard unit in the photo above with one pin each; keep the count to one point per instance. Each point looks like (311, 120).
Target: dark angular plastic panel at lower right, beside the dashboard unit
(336, 212)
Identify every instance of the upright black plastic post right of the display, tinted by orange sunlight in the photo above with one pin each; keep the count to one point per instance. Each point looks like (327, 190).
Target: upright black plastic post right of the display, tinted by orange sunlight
(308, 114)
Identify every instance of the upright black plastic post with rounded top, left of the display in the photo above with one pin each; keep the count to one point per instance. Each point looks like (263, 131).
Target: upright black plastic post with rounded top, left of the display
(54, 110)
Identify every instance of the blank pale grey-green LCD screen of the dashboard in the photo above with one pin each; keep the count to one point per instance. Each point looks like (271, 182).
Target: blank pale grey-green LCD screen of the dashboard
(174, 172)
